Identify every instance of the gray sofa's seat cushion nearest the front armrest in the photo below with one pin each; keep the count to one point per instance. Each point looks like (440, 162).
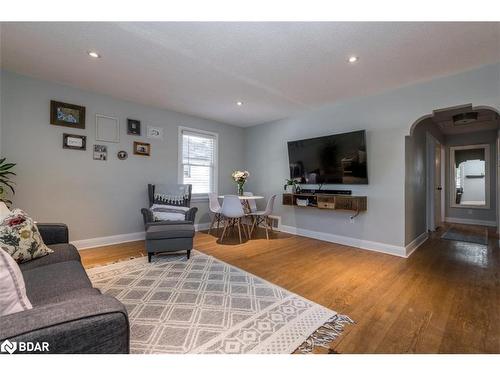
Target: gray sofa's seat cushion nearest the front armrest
(47, 282)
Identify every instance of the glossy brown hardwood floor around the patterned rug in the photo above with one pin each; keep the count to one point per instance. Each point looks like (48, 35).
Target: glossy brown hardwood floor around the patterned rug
(445, 298)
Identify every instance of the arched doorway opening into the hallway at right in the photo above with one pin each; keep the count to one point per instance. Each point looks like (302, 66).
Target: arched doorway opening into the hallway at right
(434, 190)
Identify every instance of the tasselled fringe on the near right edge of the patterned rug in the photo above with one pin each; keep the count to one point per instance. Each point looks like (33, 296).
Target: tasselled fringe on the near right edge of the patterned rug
(325, 334)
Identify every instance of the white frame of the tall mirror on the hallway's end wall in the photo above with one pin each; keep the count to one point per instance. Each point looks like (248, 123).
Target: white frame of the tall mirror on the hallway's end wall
(452, 187)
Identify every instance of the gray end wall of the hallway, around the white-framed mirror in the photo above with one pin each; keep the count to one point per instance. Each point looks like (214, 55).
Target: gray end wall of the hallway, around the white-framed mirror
(488, 137)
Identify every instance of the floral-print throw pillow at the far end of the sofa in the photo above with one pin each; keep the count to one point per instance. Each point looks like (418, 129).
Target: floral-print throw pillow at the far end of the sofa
(20, 237)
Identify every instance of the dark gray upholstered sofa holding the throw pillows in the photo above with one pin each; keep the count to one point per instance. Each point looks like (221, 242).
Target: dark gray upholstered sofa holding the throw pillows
(67, 312)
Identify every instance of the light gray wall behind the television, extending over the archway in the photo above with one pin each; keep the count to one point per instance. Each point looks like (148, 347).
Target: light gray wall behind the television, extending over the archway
(387, 117)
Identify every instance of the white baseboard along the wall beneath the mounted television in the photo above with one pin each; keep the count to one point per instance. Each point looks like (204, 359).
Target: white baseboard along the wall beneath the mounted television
(348, 241)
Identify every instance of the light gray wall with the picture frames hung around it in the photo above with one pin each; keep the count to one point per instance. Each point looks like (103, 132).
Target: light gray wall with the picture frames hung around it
(95, 198)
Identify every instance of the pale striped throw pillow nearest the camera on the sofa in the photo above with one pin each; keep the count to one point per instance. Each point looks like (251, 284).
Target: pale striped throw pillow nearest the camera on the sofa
(13, 296)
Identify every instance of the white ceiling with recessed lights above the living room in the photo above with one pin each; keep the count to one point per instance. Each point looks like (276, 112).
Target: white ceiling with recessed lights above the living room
(276, 69)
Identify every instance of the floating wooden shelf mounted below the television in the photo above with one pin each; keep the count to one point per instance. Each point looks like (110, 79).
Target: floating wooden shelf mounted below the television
(327, 201)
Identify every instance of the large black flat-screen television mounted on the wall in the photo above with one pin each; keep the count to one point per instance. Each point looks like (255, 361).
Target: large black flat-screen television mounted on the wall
(333, 159)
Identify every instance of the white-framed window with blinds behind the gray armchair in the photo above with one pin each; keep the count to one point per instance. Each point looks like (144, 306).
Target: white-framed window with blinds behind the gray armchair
(198, 160)
